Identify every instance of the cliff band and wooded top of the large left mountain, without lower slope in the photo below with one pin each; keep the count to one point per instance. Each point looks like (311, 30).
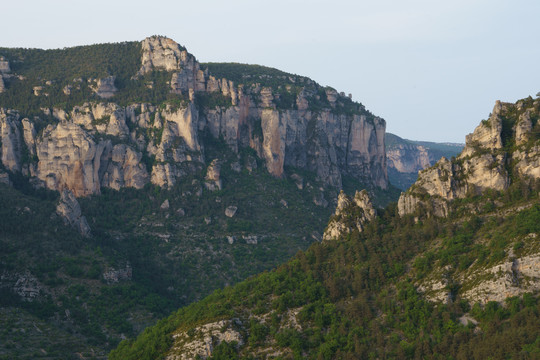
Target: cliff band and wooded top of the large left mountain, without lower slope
(141, 117)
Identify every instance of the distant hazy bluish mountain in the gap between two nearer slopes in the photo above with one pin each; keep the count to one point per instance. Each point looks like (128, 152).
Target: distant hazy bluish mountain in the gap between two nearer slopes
(405, 158)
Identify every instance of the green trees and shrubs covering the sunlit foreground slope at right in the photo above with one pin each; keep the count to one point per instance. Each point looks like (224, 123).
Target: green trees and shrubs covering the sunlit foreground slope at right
(356, 297)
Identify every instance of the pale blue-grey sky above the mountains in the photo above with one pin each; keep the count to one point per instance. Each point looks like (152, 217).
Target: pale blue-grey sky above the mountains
(432, 69)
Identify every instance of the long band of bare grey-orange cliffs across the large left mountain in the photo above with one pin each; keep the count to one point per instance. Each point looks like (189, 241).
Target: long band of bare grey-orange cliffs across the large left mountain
(104, 144)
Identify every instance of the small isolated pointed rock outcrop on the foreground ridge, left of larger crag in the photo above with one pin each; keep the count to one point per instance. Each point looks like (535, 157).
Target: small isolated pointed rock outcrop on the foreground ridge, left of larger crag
(350, 214)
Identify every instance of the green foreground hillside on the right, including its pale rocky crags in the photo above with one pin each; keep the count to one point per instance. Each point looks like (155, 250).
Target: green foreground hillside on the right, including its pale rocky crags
(443, 277)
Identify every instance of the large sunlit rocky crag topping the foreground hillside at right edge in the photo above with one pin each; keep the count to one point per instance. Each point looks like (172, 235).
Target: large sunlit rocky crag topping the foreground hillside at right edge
(483, 163)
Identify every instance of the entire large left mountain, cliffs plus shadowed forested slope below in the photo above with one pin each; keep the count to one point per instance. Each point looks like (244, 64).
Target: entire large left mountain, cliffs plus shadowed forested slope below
(135, 180)
